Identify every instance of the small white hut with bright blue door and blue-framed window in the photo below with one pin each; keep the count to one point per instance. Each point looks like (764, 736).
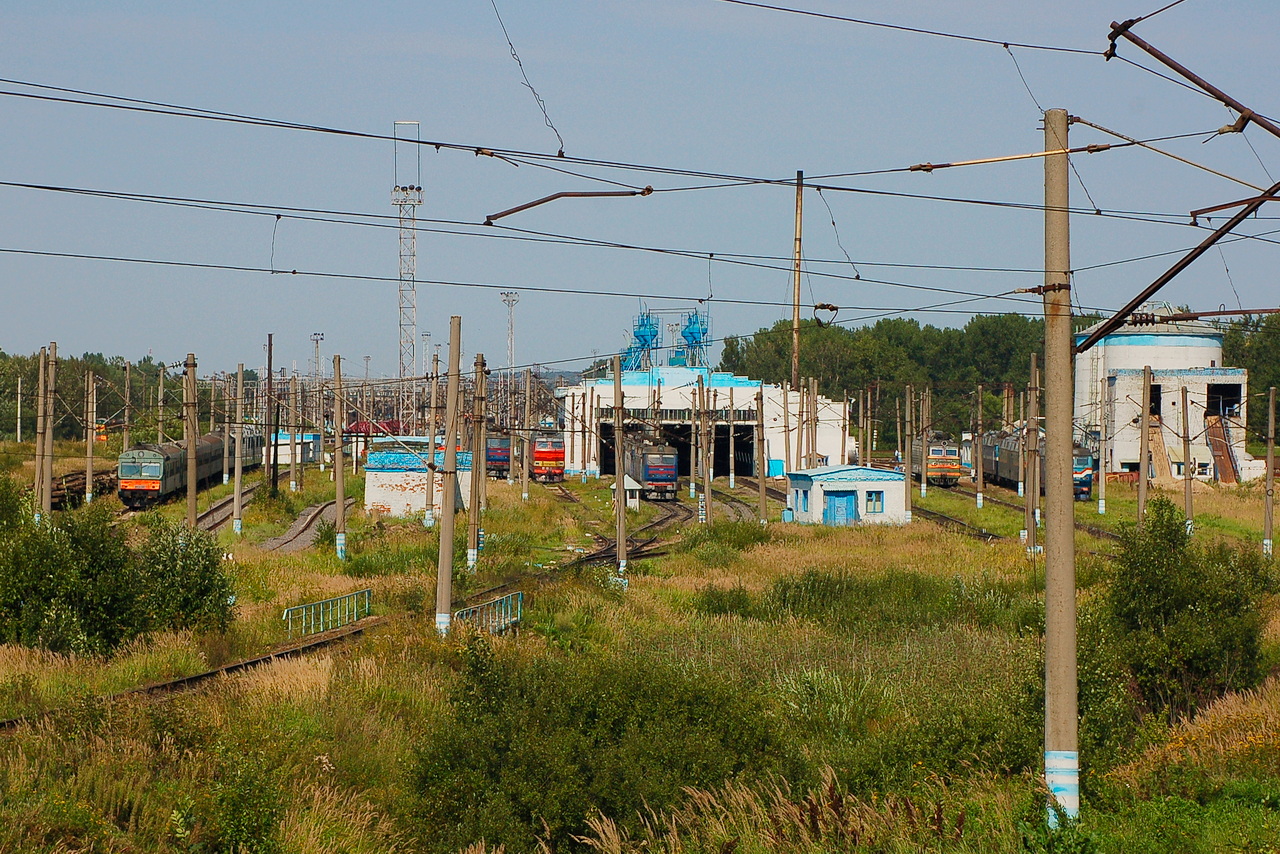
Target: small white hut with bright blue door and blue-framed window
(848, 496)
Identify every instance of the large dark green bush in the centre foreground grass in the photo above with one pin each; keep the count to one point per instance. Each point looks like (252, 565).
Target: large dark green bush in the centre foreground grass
(533, 748)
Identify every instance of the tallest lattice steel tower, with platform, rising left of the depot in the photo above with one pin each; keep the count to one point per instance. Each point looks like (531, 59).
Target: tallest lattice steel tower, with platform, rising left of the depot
(408, 195)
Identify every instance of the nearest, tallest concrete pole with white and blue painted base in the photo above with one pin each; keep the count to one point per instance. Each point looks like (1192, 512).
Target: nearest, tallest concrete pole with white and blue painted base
(1062, 757)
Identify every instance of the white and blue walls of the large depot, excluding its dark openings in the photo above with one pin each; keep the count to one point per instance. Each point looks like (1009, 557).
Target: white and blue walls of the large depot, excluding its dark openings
(665, 396)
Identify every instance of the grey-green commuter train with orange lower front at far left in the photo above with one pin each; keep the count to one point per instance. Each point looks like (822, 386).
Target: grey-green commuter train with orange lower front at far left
(149, 474)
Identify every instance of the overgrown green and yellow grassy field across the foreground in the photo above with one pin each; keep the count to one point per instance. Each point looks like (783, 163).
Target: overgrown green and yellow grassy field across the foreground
(812, 686)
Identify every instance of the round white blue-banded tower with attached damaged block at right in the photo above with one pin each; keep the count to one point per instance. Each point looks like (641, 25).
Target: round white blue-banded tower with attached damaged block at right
(1109, 390)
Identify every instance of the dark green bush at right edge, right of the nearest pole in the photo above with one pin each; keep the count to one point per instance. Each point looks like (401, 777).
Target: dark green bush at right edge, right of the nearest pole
(1188, 615)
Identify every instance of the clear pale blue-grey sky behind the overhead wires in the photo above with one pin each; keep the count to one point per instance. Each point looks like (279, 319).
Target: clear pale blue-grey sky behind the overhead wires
(684, 86)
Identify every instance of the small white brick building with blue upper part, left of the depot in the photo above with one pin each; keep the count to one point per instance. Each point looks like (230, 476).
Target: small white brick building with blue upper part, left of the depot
(400, 485)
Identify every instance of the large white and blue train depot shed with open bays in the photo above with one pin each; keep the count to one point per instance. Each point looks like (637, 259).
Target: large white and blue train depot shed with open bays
(661, 405)
